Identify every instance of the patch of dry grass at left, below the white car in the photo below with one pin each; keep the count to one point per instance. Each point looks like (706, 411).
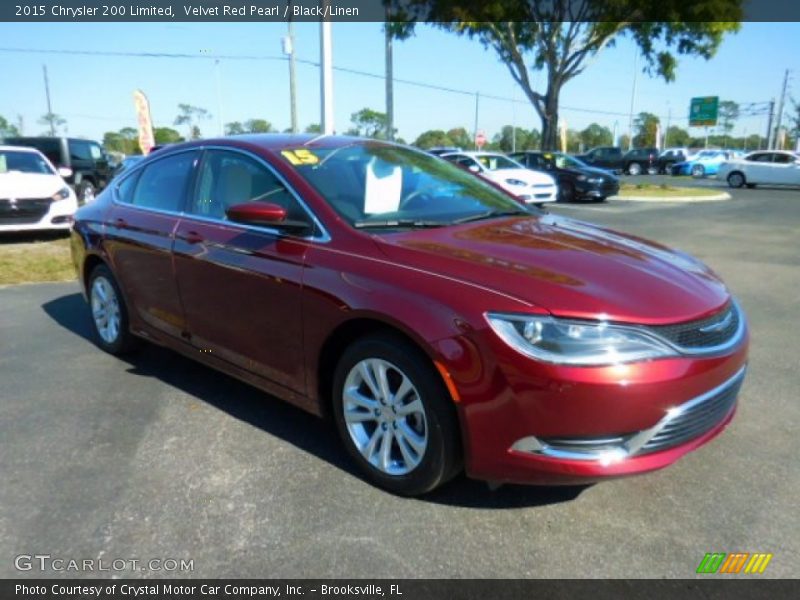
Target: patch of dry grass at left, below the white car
(34, 257)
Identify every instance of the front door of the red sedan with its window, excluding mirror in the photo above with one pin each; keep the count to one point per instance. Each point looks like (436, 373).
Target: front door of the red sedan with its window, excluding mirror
(241, 285)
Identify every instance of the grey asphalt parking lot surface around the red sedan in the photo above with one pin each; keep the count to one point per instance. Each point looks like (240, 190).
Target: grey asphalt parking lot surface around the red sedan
(157, 457)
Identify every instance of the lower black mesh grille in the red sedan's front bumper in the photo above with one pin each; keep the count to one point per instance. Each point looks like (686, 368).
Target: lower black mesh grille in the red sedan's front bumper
(695, 418)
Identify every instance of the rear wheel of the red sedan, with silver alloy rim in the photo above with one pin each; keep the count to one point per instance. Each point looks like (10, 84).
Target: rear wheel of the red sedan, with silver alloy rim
(109, 313)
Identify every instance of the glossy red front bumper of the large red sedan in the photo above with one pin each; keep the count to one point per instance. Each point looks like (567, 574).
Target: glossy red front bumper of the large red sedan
(536, 423)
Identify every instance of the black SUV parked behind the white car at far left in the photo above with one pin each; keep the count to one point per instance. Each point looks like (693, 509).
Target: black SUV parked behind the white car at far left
(86, 159)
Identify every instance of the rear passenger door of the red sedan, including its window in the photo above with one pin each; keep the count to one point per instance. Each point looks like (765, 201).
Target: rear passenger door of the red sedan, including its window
(145, 212)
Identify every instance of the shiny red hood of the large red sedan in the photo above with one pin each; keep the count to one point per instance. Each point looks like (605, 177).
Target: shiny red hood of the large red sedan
(571, 268)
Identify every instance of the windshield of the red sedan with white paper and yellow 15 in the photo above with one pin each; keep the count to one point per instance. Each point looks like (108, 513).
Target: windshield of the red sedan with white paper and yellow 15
(391, 186)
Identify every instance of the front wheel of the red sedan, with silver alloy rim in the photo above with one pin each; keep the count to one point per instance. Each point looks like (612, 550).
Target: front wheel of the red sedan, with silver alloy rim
(395, 416)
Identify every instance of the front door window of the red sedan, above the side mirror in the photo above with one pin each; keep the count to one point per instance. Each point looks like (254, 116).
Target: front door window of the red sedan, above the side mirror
(228, 178)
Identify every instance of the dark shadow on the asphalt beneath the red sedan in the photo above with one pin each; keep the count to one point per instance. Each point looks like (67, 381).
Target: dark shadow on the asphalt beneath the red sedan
(289, 423)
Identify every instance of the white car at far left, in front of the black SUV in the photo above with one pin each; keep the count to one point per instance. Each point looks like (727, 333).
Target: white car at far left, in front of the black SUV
(33, 194)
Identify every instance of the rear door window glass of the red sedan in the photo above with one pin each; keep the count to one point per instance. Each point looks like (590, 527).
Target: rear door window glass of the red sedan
(162, 184)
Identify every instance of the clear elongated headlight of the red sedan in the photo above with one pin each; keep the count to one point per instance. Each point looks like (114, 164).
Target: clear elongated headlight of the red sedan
(563, 341)
